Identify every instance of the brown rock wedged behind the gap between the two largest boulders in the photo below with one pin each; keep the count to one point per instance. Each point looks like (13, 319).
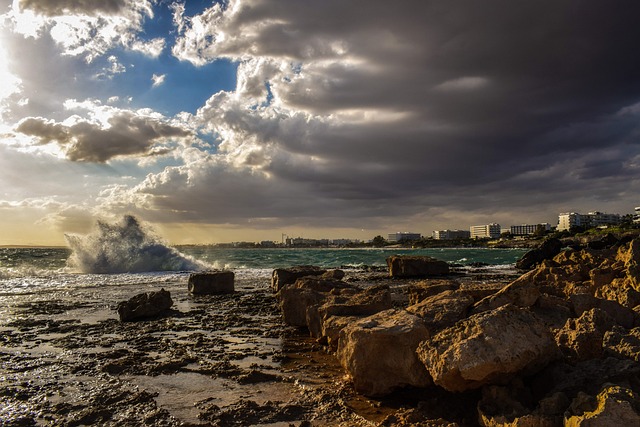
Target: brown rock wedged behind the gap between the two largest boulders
(442, 310)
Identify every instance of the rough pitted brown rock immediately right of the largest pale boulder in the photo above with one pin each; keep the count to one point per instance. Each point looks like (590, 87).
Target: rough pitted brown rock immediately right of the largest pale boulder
(581, 338)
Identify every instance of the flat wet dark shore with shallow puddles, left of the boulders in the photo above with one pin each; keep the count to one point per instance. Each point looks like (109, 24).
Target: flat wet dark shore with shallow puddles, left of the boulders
(224, 360)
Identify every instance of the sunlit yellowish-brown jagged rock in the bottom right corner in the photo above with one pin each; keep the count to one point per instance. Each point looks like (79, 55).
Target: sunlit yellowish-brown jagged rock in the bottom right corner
(615, 406)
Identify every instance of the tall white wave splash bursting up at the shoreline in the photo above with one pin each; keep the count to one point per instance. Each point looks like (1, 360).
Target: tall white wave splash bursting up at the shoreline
(126, 247)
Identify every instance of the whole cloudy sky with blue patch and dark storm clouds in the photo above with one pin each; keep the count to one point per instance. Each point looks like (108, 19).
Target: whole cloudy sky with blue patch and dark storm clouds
(247, 120)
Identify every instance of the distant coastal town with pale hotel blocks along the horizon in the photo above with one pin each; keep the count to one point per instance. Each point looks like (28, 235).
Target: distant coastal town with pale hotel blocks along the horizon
(569, 223)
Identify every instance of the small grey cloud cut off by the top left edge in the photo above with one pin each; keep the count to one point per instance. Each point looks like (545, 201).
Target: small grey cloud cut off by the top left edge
(62, 7)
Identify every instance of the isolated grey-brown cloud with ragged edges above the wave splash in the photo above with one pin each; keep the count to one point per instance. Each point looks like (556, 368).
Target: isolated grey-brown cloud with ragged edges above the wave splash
(85, 141)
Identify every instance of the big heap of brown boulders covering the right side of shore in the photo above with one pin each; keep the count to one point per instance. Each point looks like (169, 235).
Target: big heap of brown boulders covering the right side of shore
(558, 346)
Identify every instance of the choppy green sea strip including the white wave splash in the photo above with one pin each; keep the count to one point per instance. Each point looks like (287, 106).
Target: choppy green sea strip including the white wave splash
(128, 253)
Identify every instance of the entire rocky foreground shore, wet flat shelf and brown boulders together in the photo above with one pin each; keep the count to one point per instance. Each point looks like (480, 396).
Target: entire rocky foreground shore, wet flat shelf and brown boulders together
(556, 345)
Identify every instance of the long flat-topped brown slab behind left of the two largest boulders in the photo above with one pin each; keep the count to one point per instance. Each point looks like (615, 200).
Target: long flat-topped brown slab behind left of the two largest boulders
(359, 303)
